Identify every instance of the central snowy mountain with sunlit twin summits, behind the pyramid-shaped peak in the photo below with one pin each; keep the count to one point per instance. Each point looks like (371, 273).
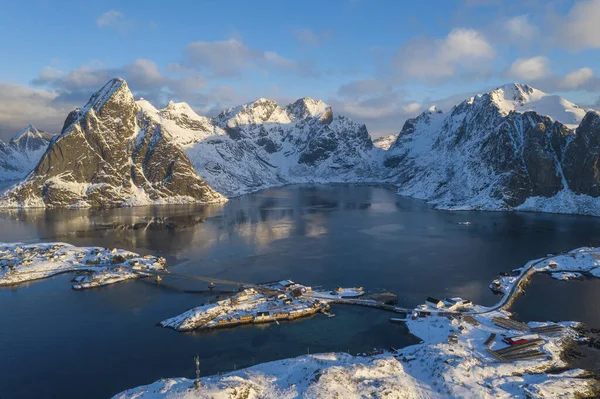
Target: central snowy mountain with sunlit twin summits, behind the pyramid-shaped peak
(262, 144)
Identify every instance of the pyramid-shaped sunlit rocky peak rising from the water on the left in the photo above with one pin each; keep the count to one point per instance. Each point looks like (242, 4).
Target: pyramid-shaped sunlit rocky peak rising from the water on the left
(111, 154)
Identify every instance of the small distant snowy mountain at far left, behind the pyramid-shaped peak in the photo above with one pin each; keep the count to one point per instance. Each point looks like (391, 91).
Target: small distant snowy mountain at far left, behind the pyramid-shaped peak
(22, 153)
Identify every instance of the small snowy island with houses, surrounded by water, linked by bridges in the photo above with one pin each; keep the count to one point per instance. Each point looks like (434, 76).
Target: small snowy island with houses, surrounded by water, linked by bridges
(262, 303)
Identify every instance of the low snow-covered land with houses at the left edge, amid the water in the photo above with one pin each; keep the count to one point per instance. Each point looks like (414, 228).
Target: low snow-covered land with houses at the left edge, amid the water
(21, 263)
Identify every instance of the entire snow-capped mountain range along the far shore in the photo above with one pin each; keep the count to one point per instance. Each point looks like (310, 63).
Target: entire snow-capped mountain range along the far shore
(511, 148)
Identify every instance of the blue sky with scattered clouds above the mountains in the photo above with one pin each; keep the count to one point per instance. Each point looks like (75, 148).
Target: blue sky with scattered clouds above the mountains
(378, 62)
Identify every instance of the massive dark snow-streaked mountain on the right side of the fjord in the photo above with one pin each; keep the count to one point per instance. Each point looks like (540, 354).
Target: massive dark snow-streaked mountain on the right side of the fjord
(492, 152)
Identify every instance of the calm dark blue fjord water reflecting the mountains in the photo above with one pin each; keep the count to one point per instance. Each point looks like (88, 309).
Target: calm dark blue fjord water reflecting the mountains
(93, 344)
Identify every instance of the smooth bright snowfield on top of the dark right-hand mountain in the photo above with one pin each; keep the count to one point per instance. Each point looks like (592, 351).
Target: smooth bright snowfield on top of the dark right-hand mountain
(522, 98)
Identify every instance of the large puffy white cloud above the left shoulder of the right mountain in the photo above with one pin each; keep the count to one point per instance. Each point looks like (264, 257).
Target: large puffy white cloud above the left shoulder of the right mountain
(462, 49)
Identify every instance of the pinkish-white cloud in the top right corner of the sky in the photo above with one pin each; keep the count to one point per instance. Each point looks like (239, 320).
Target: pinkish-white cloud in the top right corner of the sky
(579, 29)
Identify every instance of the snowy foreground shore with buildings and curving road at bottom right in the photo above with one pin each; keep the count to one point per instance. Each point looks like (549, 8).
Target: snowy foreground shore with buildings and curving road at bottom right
(470, 351)
